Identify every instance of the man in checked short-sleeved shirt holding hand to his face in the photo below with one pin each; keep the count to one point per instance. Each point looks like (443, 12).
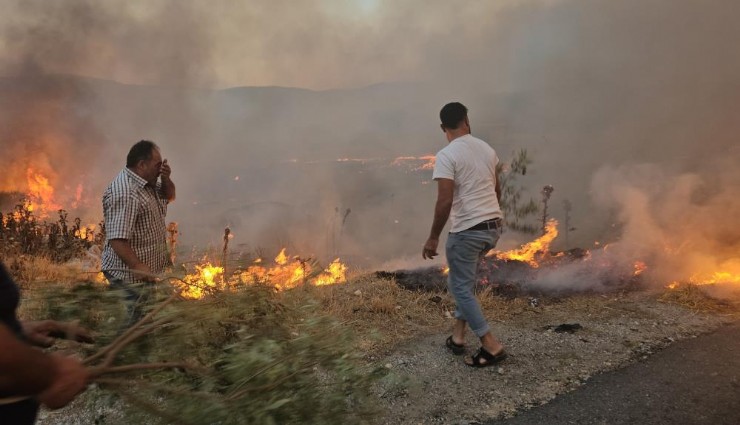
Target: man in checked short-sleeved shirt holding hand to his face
(134, 209)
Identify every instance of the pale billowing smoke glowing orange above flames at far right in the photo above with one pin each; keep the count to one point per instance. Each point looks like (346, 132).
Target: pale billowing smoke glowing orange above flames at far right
(679, 224)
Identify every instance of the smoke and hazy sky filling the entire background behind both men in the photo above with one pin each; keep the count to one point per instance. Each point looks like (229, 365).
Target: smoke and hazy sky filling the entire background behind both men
(597, 91)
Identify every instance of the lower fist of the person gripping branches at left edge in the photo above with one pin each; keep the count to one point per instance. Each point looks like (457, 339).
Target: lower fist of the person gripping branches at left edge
(70, 379)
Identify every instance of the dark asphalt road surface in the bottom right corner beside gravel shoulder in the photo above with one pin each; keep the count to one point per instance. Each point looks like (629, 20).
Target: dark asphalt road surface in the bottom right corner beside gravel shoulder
(692, 382)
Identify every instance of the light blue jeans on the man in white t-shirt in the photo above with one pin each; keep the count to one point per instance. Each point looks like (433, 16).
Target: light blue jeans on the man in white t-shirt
(464, 252)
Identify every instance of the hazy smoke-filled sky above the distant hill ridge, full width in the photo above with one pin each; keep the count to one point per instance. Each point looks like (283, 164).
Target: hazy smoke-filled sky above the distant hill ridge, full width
(322, 44)
